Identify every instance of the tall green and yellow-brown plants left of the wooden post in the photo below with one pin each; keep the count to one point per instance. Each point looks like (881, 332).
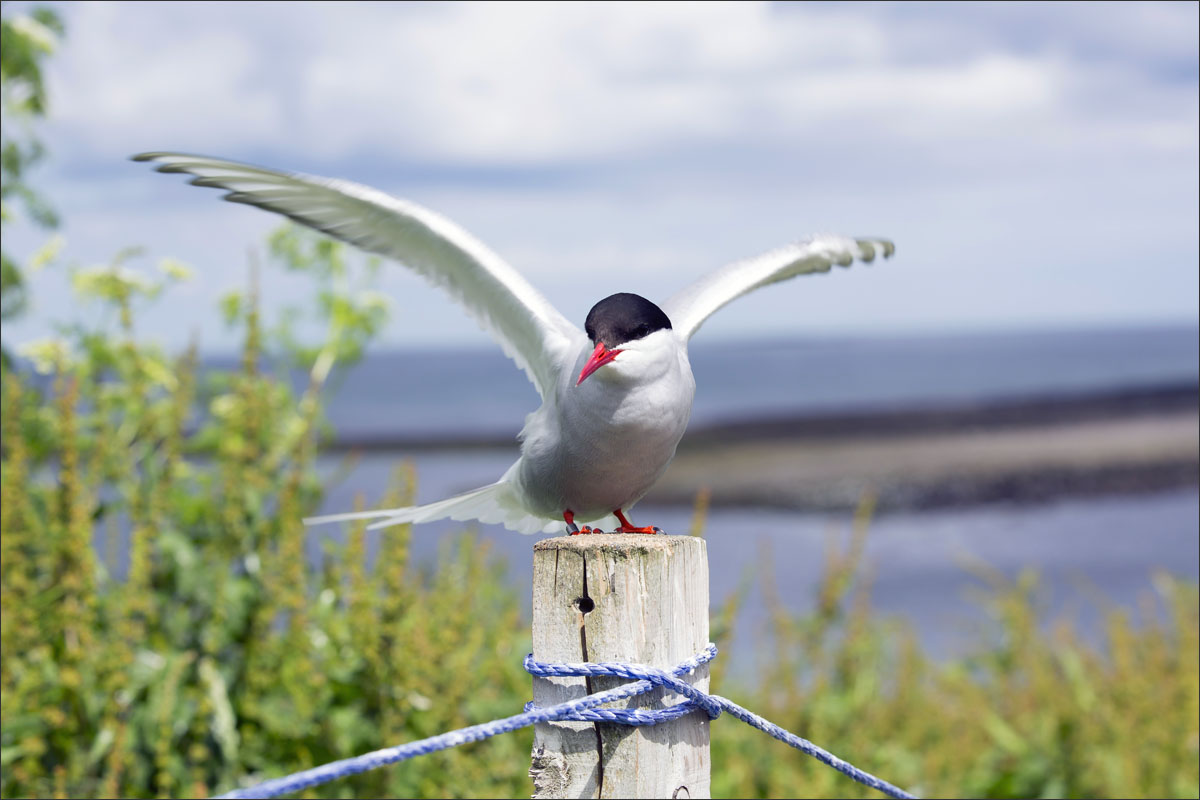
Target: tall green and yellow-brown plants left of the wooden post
(223, 655)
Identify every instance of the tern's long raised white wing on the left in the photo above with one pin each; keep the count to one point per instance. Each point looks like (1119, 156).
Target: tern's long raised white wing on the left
(531, 330)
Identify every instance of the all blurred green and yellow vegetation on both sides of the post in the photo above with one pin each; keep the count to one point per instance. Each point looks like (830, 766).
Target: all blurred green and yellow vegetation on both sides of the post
(217, 653)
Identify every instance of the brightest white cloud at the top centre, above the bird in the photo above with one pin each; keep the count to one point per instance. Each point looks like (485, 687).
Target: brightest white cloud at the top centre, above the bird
(535, 83)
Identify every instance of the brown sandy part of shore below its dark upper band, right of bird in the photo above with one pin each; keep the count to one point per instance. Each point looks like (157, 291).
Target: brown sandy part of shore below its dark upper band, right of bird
(1015, 464)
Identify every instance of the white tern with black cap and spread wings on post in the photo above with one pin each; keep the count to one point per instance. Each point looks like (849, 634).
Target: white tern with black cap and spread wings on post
(616, 396)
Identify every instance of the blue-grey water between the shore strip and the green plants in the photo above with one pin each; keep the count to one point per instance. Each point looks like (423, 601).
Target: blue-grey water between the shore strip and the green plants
(920, 562)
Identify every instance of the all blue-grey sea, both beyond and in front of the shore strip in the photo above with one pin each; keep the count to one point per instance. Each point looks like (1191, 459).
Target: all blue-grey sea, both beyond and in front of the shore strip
(926, 568)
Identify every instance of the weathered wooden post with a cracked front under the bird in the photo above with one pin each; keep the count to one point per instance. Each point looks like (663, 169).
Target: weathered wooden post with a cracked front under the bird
(632, 598)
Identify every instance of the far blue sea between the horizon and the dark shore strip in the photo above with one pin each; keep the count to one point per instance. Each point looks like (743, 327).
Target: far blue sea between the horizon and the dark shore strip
(481, 393)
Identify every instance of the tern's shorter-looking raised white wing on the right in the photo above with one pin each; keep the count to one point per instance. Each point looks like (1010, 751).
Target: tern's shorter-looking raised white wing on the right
(691, 308)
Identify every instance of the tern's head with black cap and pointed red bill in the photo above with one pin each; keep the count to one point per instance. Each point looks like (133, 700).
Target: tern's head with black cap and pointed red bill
(626, 324)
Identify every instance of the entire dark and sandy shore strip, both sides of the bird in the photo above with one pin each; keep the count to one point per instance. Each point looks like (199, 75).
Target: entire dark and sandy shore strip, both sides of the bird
(1012, 450)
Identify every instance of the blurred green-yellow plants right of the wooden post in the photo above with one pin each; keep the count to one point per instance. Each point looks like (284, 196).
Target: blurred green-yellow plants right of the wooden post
(1029, 715)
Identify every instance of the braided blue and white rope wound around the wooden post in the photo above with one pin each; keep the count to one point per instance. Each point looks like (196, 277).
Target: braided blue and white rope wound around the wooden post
(585, 709)
